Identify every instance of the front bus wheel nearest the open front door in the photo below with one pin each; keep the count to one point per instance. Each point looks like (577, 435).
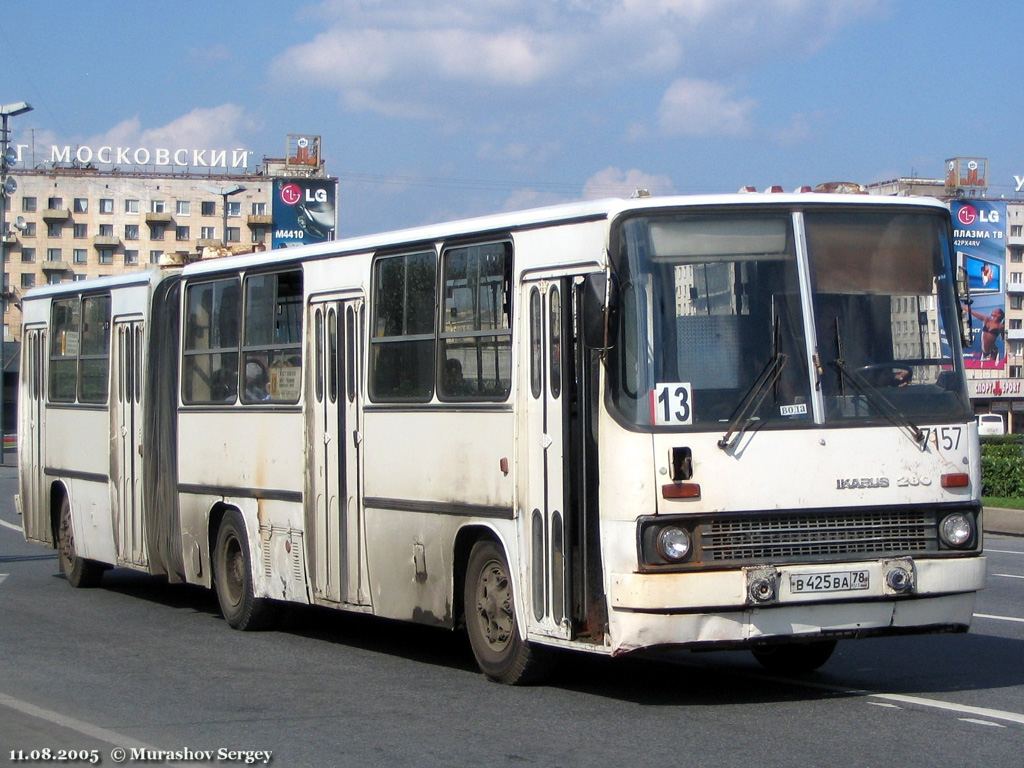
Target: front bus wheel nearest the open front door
(501, 652)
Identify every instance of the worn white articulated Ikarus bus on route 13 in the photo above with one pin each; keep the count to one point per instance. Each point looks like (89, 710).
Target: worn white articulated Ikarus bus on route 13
(730, 421)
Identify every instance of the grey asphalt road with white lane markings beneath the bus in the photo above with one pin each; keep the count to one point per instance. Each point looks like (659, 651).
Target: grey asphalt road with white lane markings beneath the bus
(143, 666)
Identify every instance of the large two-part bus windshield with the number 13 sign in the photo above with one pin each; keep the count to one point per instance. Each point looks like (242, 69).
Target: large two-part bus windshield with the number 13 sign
(712, 326)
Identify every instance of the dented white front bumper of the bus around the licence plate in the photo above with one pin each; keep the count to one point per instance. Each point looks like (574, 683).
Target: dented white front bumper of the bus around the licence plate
(715, 609)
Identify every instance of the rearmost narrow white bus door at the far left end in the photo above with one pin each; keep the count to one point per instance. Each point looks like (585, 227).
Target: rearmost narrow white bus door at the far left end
(36, 519)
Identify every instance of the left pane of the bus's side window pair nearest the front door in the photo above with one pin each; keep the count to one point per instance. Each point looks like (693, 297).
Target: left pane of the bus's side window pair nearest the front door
(402, 352)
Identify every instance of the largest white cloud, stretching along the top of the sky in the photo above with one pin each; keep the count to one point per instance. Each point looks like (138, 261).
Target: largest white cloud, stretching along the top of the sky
(402, 57)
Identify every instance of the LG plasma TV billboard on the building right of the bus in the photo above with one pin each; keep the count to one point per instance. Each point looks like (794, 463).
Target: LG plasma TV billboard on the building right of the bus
(979, 237)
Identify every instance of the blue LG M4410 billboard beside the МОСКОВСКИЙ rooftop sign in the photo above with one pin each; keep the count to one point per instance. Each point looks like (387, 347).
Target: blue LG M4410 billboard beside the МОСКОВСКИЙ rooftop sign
(305, 211)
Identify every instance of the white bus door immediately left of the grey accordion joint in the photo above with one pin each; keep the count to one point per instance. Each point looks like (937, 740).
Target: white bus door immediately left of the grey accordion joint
(127, 397)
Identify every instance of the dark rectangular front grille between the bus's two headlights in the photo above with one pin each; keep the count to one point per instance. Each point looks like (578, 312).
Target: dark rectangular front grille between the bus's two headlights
(819, 537)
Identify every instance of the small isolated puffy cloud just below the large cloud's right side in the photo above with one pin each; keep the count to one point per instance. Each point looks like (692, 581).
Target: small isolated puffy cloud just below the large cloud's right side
(703, 108)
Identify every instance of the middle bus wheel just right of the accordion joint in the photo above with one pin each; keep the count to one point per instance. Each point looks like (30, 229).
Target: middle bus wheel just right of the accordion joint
(233, 578)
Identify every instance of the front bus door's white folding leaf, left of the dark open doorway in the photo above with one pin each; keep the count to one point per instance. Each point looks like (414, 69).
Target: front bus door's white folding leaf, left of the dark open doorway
(546, 521)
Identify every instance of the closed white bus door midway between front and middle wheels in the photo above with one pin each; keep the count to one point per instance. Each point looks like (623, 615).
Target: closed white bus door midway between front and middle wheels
(339, 565)
